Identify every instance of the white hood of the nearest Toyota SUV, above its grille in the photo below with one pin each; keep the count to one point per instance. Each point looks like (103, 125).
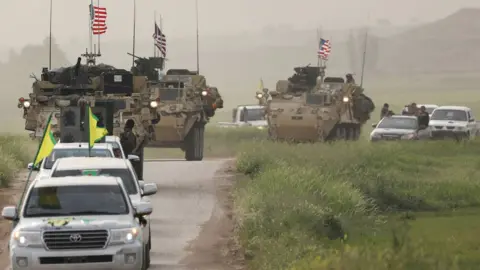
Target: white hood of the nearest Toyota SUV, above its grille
(76, 222)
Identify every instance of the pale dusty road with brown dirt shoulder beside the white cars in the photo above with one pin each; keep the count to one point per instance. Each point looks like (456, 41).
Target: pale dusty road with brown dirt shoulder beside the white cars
(191, 221)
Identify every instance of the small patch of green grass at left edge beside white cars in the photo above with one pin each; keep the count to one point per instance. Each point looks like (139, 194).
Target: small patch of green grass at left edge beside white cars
(15, 153)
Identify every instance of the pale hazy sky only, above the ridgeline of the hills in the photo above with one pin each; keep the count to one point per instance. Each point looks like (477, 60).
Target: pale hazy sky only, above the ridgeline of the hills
(26, 21)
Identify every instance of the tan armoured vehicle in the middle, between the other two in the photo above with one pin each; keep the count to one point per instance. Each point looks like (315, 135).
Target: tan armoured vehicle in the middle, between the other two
(185, 104)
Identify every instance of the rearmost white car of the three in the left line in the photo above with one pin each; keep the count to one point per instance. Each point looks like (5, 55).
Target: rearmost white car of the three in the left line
(62, 150)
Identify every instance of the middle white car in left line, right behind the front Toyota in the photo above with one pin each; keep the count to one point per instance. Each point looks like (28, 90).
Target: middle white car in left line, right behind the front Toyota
(137, 190)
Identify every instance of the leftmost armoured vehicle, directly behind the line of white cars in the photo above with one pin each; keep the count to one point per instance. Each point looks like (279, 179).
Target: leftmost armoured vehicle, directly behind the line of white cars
(115, 95)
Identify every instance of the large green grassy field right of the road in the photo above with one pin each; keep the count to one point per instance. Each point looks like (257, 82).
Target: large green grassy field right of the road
(359, 205)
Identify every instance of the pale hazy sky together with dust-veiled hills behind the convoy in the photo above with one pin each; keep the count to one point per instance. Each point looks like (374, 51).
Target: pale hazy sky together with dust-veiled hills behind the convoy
(243, 41)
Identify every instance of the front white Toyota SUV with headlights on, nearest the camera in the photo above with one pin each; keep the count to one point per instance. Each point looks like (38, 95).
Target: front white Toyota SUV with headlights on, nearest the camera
(77, 223)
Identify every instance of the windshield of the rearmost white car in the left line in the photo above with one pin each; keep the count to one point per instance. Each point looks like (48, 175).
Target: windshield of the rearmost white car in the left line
(74, 152)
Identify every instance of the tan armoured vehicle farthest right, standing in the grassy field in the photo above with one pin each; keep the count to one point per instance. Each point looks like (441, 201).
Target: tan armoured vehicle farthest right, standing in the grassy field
(311, 107)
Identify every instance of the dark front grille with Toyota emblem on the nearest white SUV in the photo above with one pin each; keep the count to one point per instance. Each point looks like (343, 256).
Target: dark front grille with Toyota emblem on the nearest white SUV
(75, 239)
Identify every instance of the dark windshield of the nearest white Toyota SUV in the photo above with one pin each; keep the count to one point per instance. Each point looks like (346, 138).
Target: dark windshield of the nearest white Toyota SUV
(64, 201)
